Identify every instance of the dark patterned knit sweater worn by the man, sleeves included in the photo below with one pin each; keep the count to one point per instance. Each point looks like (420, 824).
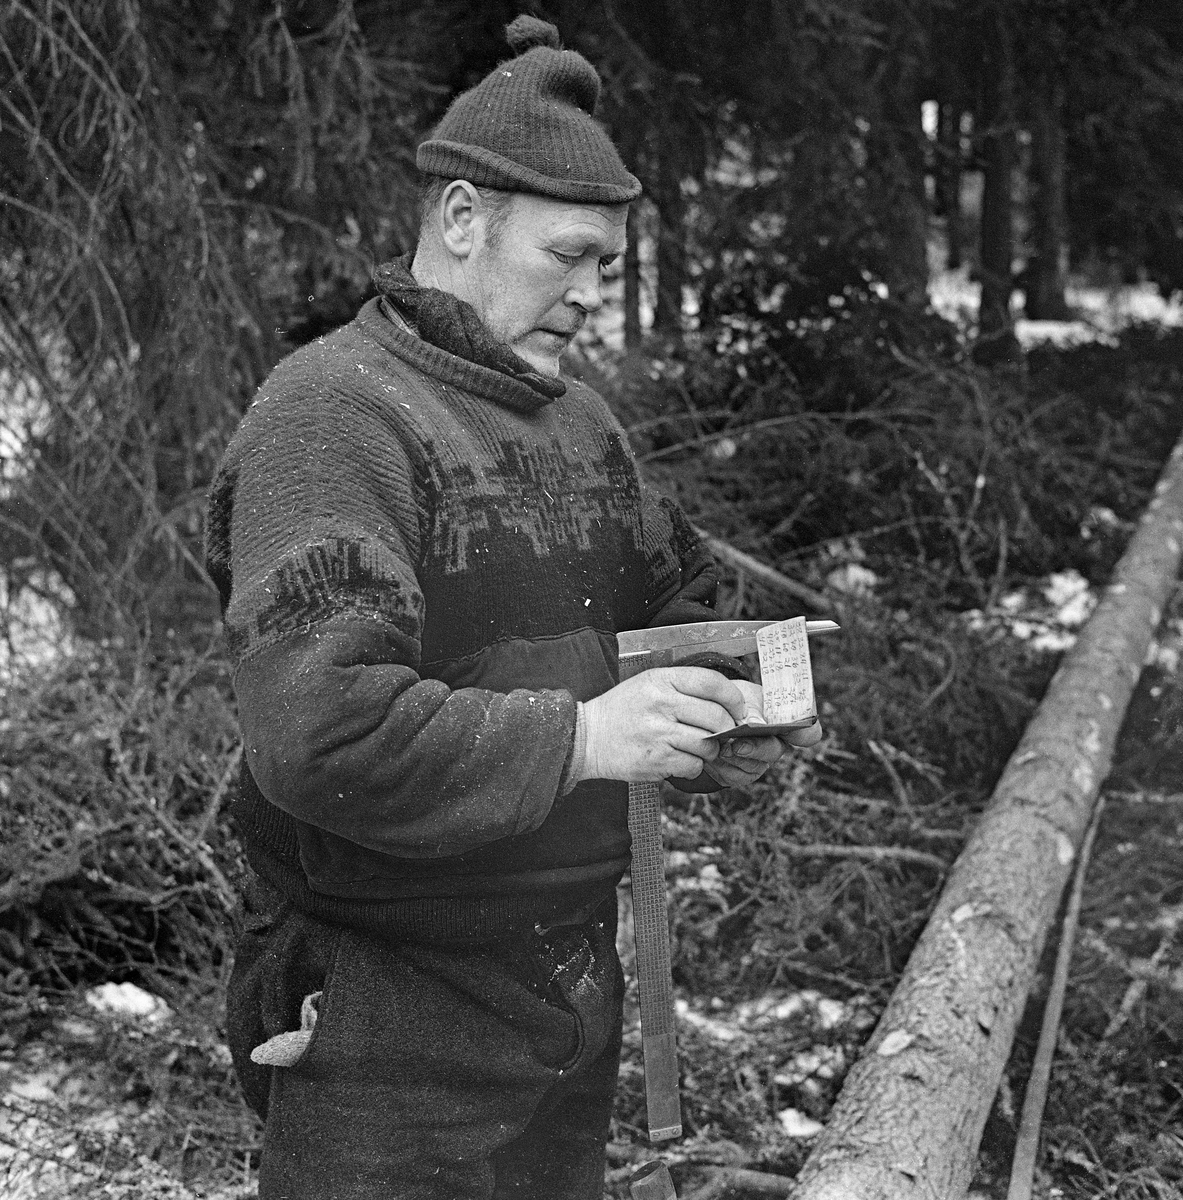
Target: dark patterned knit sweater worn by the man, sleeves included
(423, 565)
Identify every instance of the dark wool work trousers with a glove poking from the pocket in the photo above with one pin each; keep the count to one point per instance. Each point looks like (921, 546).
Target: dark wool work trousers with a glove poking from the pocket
(433, 1073)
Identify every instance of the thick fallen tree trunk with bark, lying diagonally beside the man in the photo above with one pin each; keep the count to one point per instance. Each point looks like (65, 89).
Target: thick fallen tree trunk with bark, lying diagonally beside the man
(910, 1118)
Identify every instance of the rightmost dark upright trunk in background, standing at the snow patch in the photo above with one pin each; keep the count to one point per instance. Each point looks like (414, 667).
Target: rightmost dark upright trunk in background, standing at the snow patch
(1046, 274)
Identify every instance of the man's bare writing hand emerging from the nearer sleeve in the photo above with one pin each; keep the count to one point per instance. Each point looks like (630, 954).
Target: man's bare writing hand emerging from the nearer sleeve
(654, 725)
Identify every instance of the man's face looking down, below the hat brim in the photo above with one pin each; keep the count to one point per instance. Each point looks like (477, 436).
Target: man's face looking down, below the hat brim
(537, 280)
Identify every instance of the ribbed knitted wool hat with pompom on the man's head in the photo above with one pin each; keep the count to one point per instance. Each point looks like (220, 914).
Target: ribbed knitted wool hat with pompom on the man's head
(529, 127)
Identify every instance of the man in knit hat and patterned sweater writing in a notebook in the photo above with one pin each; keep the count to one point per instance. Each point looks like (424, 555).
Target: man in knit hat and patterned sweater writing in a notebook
(425, 542)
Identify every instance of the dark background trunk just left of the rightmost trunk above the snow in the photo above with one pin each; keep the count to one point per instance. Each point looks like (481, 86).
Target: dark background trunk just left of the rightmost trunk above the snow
(995, 331)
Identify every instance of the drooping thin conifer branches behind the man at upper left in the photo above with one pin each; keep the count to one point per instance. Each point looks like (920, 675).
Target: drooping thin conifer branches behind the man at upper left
(165, 169)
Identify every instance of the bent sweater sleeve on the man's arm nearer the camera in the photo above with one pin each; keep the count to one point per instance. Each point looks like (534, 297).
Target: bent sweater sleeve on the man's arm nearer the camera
(325, 616)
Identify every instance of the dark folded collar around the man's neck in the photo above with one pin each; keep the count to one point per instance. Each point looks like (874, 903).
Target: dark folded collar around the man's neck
(454, 326)
